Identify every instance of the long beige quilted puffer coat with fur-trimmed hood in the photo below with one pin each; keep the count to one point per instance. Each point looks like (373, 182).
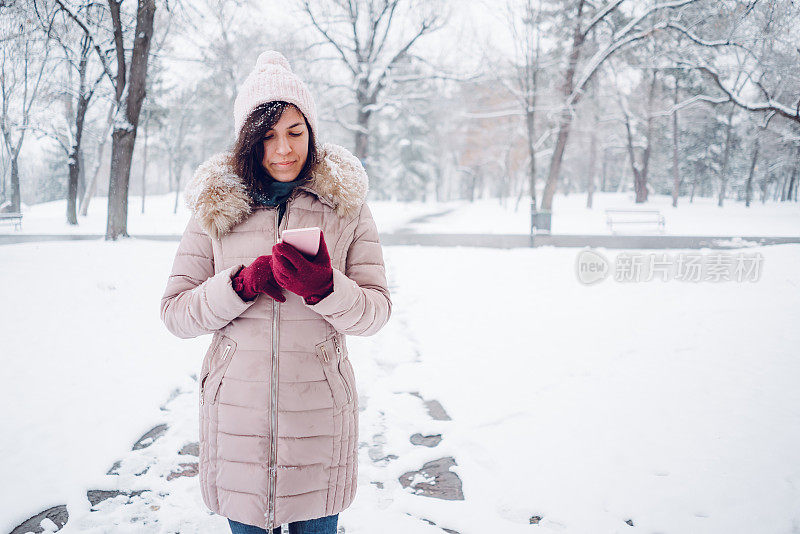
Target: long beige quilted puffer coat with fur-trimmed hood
(278, 400)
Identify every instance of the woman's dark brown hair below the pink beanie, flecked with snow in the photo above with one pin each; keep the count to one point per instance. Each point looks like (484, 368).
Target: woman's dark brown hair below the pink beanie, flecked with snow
(248, 151)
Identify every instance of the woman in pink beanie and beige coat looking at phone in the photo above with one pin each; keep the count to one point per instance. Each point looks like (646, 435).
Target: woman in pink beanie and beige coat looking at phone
(278, 403)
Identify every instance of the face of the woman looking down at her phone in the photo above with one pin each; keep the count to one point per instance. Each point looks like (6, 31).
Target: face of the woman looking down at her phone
(286, 143)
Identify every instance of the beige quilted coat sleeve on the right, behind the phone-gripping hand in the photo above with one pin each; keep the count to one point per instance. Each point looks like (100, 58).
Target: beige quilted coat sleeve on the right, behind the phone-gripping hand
(360, 303)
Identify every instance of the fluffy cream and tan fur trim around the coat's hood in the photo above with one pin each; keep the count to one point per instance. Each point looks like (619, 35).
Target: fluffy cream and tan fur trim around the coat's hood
(219, 199)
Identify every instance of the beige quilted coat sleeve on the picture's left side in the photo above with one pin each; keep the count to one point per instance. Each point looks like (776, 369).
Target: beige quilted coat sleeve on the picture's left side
(196, 301)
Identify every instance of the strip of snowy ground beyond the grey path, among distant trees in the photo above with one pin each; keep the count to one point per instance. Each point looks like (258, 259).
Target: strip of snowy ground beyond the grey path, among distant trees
(570, 216)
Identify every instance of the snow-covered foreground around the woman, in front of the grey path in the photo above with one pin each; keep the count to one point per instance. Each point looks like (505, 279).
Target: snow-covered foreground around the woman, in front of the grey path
(672, 405)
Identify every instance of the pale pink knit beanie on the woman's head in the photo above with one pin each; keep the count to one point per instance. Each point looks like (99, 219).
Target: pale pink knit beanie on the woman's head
(273, 79)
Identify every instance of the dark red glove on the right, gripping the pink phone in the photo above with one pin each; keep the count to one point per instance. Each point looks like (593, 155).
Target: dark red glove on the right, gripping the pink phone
(312, 279)
